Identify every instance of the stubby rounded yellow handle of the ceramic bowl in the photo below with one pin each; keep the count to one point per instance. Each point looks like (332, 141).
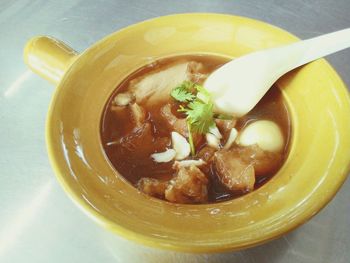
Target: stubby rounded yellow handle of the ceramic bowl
(48, 57)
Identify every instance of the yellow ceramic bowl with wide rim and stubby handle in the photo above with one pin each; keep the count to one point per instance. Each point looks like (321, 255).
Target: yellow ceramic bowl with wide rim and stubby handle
(315, 169)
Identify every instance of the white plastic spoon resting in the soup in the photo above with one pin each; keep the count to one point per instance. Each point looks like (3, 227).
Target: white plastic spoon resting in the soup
(238, 86)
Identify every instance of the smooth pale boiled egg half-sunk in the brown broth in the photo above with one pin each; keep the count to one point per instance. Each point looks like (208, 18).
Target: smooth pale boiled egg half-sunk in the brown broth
(266, 134)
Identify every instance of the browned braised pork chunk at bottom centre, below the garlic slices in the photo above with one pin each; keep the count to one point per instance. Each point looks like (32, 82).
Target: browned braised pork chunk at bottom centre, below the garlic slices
(190, 185)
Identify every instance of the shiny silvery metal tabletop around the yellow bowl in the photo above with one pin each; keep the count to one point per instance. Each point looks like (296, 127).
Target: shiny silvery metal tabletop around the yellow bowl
(38, 222)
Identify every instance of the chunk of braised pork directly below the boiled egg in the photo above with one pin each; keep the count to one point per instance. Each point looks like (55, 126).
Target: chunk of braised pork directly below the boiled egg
(233, 172)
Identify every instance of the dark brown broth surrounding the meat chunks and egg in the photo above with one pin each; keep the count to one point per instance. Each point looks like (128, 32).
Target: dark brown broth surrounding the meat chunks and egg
(135, 163)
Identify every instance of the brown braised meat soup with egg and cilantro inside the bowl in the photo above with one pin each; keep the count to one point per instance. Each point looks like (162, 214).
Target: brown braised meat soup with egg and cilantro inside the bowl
(160, 131)
